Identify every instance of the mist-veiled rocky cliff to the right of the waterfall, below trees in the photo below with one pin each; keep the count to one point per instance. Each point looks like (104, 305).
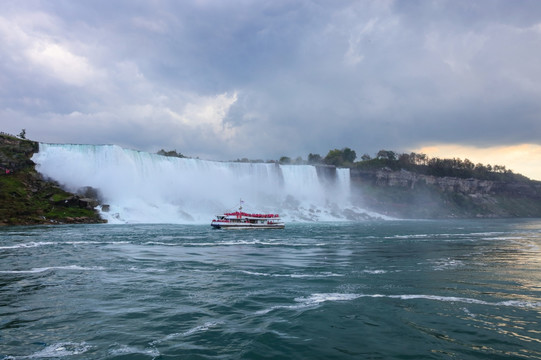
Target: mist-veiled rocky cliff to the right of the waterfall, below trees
(409, 195)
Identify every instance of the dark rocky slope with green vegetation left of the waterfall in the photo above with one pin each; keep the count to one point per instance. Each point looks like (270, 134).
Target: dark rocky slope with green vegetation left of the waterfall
(26, 198)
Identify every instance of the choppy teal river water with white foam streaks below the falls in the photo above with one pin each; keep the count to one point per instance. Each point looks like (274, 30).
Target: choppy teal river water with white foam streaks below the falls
(374, 290)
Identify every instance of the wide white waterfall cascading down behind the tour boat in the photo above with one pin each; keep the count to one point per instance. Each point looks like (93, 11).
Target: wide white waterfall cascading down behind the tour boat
(148, 188)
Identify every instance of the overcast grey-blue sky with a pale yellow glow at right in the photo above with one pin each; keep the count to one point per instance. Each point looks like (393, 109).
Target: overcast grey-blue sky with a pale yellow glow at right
(267, 78)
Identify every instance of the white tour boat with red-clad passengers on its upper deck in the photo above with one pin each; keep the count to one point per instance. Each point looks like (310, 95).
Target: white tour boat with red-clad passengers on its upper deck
(242, 220)
